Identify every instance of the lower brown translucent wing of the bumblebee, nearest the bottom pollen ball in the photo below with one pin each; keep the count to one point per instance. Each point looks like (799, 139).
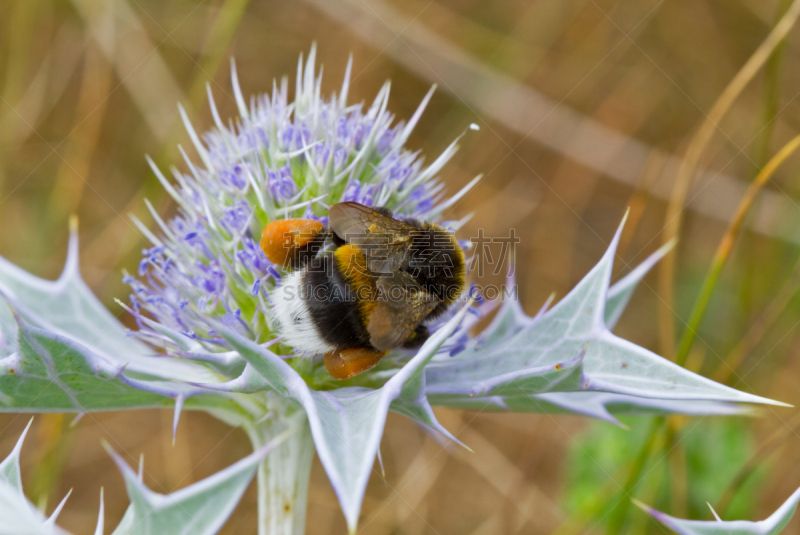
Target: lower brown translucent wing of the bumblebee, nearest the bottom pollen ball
(402, 305)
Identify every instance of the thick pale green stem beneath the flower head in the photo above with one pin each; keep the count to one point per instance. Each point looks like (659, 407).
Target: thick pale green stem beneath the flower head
(283, 474)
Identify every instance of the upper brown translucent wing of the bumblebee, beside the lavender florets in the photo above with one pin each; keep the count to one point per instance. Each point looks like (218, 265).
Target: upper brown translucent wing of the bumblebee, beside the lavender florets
(383, 239)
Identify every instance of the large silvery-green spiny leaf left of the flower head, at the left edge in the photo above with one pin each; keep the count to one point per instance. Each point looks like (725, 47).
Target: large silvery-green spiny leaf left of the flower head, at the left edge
(61, 350)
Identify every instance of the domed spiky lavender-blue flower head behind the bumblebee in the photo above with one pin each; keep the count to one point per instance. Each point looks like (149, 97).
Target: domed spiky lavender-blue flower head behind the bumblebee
(280, 159)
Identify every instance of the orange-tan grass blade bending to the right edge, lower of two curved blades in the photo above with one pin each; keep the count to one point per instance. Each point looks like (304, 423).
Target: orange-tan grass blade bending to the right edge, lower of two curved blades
(725, 246)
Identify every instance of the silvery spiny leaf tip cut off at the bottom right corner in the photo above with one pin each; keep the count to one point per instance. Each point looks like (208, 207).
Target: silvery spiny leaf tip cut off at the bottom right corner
(771, 526)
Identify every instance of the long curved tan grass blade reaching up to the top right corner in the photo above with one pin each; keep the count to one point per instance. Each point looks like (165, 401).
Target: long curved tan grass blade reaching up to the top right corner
(698, 146)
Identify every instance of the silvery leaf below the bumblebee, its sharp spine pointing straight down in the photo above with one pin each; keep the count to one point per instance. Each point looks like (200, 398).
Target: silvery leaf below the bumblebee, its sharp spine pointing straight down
(346, 423)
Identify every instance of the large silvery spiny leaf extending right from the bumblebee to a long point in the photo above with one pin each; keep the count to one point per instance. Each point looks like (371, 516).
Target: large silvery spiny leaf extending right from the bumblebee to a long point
(538, 355)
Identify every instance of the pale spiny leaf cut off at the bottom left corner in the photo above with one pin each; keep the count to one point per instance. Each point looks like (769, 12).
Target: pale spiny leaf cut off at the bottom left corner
(18, 516)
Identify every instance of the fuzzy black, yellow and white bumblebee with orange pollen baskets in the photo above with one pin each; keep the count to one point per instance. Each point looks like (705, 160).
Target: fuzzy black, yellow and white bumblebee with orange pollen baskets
(365, 284)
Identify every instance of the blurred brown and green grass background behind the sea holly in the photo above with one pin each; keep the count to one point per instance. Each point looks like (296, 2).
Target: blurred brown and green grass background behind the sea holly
(585, 108)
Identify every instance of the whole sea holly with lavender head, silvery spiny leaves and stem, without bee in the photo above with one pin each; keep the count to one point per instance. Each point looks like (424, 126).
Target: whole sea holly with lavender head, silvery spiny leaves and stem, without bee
(201, 298)
